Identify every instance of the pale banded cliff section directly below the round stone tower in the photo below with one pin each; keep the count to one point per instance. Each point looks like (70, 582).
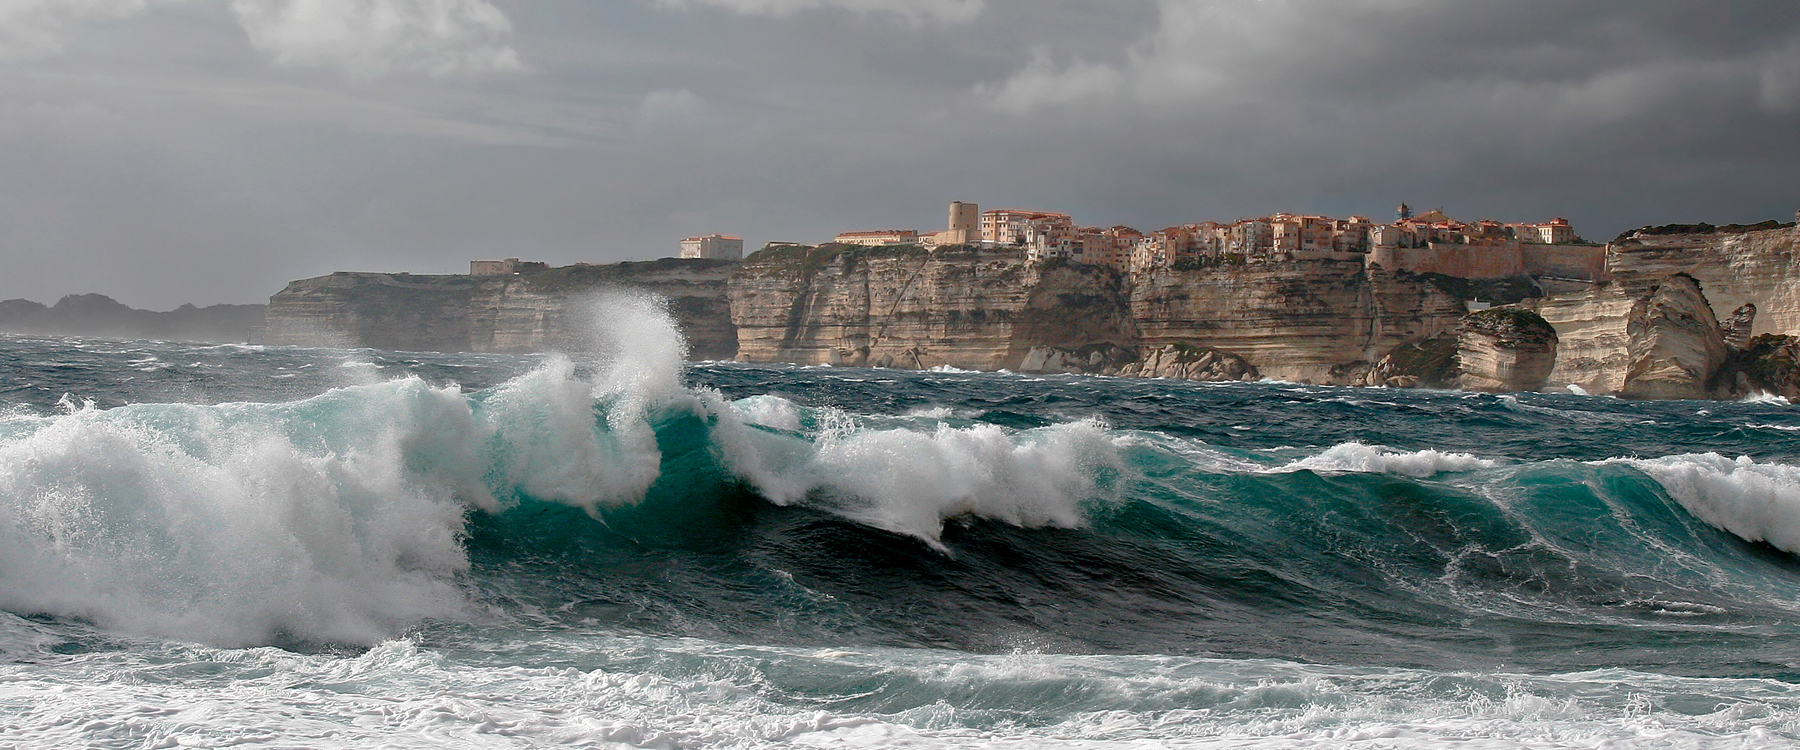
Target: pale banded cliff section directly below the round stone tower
(908, 308)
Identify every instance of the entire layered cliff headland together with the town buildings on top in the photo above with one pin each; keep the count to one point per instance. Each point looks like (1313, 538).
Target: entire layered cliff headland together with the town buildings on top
(1686, 312)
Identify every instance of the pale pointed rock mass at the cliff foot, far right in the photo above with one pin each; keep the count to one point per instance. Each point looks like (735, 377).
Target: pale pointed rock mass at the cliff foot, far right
(1677, 344)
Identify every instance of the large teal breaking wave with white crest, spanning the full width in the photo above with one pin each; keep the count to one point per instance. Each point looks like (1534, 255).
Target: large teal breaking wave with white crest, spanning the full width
(577, 492)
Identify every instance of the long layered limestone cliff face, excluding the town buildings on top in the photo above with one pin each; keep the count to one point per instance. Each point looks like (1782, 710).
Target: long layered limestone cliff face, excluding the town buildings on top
(987, 308)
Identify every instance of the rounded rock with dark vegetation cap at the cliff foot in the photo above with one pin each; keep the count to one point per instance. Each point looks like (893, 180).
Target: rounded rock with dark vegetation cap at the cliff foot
(1506, 350)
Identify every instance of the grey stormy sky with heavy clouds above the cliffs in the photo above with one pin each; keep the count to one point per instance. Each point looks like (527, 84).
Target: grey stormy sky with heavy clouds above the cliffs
(166, 152)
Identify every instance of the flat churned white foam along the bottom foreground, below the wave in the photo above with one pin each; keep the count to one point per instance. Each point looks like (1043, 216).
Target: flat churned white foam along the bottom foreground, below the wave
(408, 697)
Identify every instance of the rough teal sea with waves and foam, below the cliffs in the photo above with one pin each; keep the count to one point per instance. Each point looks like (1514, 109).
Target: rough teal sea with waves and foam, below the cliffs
(282, 548)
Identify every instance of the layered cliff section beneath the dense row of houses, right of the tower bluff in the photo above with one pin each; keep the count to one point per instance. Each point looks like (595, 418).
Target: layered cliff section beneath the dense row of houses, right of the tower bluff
(1297, 321)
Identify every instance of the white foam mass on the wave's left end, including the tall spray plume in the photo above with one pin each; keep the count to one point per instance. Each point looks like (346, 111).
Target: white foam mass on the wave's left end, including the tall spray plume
(334, 519)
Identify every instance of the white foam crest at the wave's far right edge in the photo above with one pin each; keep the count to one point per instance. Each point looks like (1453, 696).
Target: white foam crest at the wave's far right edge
(1759, 503)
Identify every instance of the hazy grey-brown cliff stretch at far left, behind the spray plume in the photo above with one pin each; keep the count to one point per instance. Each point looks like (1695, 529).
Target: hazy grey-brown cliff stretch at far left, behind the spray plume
(532, 312)
